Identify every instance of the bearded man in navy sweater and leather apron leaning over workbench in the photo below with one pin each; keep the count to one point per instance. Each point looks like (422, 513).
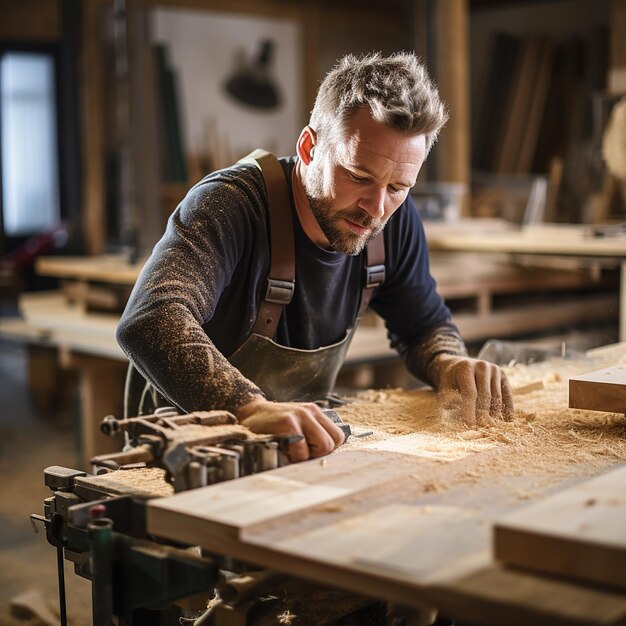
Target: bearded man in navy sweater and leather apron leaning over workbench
(195, 323)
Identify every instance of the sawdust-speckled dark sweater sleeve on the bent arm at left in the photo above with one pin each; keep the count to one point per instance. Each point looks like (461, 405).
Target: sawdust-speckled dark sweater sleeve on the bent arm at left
(177, 291)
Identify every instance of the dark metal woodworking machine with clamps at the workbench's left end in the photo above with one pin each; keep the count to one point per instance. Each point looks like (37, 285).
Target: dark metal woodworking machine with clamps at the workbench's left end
(98, 522)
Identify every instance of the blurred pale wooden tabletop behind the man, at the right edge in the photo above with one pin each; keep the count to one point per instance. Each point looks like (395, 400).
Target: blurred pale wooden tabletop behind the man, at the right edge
(541, 240)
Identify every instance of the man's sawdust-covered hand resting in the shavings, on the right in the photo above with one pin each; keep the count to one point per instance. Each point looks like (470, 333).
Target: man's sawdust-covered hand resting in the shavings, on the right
(472, 391)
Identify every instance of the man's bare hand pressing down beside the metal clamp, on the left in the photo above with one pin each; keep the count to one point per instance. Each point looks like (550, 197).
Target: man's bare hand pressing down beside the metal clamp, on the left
(321, 434)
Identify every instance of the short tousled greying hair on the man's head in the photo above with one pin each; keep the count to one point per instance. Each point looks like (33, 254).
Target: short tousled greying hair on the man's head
(397, 90)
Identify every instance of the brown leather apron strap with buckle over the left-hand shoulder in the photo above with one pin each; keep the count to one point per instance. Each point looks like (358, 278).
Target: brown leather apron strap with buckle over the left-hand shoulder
(282, 274)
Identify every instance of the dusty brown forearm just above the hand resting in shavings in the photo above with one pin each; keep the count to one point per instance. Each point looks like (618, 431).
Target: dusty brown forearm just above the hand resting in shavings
(424, 358)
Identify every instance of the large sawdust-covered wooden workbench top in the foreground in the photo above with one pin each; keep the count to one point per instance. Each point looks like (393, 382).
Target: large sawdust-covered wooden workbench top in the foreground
(408, 517)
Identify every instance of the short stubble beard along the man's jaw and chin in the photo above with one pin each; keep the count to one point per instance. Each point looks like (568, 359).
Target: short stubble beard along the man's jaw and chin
(329, 220)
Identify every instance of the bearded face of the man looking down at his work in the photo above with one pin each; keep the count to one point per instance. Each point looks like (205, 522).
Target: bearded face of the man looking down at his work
(354, 187)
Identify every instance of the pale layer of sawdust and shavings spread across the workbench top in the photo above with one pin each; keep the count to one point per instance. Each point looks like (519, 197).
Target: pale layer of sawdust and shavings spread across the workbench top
(545, 436)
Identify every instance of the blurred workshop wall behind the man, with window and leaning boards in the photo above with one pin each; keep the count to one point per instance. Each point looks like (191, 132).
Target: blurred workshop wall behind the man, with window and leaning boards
(111, 109)
